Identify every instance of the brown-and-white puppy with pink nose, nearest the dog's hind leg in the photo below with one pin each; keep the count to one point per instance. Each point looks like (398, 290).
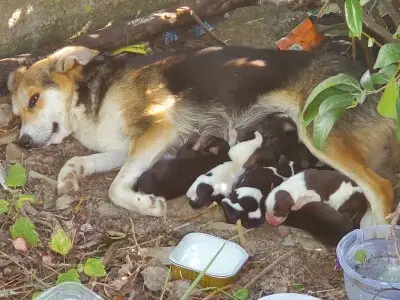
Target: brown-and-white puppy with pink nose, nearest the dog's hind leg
(324, 186)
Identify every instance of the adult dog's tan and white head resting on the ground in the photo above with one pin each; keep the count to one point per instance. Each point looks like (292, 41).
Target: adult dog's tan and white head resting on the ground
(43, 93)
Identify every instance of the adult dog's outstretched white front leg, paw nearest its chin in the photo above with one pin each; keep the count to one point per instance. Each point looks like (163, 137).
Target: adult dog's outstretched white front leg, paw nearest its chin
(82, 166)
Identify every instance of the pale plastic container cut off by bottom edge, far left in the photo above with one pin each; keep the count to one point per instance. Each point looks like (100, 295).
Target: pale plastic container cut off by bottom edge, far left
(69, 291)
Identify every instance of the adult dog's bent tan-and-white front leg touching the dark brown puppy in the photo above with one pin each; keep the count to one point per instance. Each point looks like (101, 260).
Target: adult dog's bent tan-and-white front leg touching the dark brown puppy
(143, 153)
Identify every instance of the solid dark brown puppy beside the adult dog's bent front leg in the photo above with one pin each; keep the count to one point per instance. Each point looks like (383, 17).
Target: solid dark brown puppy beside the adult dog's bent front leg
(171, 178)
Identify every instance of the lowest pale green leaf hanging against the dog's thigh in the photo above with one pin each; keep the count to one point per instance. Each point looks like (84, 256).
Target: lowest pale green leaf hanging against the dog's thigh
(323, 125)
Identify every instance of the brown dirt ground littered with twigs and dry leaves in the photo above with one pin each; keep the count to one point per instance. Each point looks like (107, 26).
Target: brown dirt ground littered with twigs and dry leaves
(95, 224)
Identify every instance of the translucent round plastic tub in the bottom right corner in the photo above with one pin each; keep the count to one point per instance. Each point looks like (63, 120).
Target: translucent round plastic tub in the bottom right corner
(361, 280)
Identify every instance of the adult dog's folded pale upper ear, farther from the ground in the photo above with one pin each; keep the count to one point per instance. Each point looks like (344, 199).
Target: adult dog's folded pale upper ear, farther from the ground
(68, 57)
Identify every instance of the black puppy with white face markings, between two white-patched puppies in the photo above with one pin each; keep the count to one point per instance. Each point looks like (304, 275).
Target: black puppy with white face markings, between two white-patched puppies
(246, 201)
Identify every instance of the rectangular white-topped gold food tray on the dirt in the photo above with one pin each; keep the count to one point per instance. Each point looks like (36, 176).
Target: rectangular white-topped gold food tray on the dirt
(196, 250)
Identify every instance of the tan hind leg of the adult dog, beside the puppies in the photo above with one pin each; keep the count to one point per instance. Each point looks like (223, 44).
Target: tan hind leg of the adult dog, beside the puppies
(346, 156)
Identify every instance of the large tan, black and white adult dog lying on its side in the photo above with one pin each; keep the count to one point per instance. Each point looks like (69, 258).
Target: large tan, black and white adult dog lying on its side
(132, 109)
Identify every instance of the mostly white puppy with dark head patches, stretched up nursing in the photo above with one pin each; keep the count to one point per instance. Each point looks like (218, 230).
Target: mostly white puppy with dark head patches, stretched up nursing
(217, 183)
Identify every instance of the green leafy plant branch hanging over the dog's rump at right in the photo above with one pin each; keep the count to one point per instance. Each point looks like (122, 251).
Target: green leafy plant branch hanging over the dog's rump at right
(330, 99)
